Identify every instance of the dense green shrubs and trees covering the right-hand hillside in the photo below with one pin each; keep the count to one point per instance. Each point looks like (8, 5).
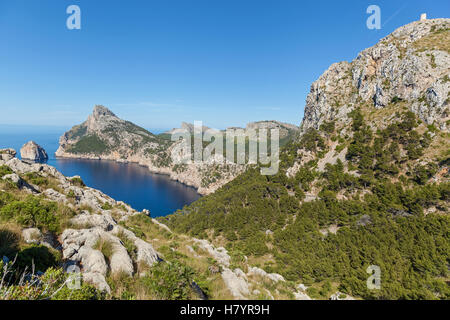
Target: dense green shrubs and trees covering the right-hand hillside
(379, 212)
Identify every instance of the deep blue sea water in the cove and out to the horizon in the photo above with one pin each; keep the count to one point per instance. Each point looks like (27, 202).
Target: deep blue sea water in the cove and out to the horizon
(130, 183)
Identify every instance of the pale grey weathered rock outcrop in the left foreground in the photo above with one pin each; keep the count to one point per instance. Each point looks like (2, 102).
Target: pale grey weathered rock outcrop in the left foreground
(97, 218)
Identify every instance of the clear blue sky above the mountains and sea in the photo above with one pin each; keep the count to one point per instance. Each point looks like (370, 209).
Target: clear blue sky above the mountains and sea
(157, 63)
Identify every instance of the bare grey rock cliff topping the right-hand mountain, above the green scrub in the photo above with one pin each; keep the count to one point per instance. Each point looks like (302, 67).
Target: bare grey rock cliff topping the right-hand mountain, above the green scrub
(411, 65)
